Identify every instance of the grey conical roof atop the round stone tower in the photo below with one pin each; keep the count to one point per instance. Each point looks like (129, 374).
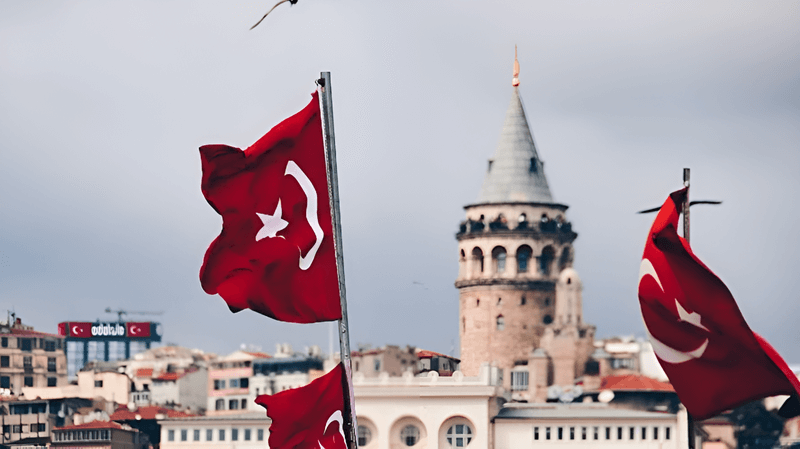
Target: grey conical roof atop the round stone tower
(515, 174)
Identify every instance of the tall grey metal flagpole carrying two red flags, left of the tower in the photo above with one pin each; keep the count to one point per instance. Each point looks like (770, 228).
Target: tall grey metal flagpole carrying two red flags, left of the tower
(326, 109)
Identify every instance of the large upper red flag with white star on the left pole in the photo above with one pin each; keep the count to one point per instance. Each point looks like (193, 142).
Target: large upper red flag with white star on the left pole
(275, 254)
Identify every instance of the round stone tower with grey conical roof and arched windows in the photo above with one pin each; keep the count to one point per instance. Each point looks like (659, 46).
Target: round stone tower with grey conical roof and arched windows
(520, 303)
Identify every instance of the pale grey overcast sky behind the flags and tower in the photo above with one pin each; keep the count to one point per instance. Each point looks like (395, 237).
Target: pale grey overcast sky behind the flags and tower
(103, 106)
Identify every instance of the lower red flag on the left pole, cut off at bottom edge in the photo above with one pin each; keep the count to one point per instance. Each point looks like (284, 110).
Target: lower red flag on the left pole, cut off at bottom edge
(308, 417)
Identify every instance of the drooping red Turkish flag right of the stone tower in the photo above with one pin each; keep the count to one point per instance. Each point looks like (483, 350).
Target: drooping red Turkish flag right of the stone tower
(712, 358)
